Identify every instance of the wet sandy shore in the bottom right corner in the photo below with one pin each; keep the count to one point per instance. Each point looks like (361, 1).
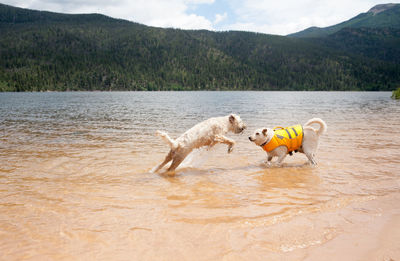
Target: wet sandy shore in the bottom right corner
(372, 235)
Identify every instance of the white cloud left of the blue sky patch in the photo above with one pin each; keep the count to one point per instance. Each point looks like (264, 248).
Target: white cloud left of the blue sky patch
(171, 13)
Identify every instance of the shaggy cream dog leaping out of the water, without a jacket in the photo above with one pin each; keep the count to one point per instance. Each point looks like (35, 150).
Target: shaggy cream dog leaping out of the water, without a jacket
(206, 133)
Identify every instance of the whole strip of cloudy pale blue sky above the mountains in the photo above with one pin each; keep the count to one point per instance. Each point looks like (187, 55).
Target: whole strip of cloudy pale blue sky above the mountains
(280, 17)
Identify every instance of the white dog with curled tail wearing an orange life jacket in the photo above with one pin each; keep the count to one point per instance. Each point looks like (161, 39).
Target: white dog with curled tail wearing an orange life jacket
(307, 144)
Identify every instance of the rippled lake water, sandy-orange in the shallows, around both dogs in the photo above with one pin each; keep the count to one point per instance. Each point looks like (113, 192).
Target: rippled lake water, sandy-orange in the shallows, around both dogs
(75, 179)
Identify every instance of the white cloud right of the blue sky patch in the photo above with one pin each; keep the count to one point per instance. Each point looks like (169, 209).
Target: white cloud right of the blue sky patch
(289, 16)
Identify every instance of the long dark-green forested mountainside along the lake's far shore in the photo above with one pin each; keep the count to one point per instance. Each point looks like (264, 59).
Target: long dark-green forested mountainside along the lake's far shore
(48, 51)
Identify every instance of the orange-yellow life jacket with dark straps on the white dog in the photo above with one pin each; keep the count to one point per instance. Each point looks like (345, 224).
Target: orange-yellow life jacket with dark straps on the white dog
(291, 137)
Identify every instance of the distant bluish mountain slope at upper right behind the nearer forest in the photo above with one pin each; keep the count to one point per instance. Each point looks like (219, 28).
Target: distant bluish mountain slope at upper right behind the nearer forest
(374, 34)
